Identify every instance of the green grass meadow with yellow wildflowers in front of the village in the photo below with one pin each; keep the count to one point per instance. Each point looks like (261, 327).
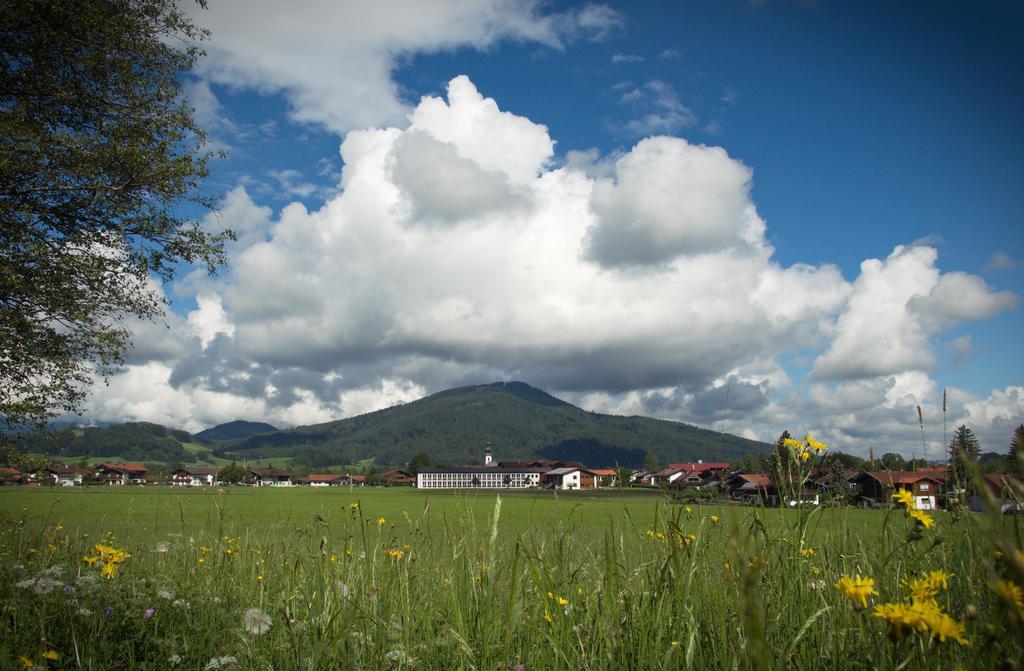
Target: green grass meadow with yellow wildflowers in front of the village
(399, 578)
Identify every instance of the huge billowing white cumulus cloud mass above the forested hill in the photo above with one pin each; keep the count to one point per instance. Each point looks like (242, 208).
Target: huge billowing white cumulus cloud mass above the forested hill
(460, 250)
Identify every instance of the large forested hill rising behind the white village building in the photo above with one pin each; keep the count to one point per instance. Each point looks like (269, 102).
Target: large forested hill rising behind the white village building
(519, 421)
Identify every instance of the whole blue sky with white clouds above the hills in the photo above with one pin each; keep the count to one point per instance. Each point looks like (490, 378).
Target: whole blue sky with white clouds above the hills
(749, 217)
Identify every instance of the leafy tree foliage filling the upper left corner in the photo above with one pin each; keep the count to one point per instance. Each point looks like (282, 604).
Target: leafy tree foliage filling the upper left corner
(100, 156)
